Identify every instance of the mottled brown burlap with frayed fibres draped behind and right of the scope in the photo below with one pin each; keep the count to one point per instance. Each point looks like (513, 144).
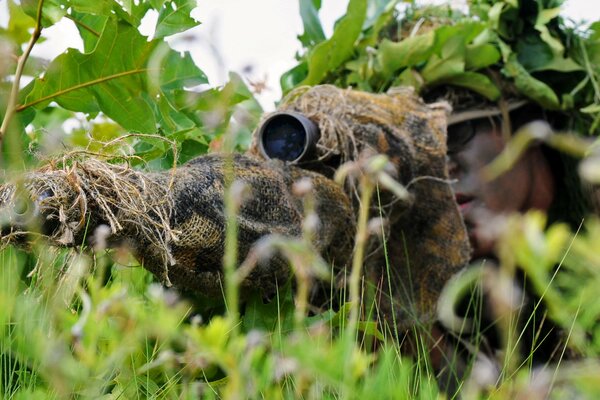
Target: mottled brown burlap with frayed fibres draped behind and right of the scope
(426, 243)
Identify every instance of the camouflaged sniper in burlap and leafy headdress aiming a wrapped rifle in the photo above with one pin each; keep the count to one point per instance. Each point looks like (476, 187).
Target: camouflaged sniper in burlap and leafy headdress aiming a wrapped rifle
(393, 136)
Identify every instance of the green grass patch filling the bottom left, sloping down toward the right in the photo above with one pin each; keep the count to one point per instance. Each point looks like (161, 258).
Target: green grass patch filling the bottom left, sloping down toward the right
(66, 333)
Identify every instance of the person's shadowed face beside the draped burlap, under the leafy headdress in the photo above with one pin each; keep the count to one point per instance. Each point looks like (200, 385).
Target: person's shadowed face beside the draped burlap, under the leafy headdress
(471, 146)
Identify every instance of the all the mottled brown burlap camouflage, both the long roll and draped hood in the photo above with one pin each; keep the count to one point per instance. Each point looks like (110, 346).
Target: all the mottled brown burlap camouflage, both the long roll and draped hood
(175, 223)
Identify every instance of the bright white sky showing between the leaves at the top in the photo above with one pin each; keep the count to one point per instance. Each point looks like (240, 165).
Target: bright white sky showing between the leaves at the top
(254, 38)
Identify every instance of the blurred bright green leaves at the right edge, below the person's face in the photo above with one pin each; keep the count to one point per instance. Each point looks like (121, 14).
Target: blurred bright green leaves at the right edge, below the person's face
(570, 292)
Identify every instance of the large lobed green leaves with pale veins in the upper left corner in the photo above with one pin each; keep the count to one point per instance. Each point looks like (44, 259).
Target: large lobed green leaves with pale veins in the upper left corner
(142, 85)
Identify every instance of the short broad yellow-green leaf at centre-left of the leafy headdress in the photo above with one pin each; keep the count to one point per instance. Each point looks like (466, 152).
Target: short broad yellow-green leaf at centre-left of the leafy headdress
(409, 52)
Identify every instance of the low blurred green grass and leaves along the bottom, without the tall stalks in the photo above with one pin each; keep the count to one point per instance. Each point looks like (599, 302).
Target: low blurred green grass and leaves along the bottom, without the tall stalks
(69, 331)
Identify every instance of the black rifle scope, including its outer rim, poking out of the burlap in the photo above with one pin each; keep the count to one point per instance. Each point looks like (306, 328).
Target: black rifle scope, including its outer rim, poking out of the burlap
(288, 136)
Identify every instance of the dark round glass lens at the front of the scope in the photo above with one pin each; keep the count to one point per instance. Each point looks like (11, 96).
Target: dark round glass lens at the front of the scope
(284, 138)
